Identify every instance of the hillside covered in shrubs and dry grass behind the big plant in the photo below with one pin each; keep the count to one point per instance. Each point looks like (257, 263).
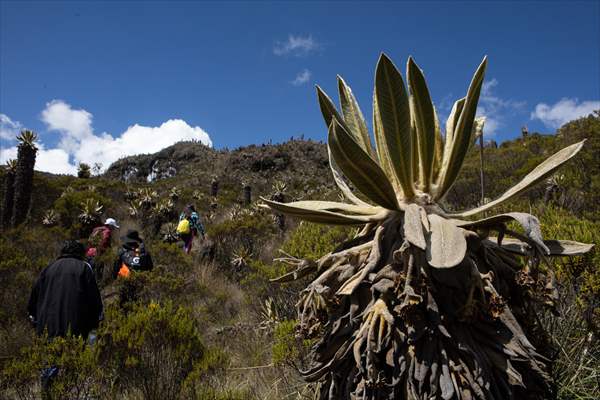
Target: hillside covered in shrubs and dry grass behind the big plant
(226, 330)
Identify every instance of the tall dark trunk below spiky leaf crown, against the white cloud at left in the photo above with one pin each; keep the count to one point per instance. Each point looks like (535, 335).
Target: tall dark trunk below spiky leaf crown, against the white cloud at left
(23, 184)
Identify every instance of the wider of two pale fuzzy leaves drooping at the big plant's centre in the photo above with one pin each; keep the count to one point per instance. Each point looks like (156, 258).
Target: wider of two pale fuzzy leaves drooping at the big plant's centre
(446, 243)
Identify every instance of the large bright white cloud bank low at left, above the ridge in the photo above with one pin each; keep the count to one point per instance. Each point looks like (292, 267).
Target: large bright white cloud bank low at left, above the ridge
(78, 142)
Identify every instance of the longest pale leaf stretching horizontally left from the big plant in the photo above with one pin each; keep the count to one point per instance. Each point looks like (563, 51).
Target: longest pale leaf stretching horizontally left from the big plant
(307, 213)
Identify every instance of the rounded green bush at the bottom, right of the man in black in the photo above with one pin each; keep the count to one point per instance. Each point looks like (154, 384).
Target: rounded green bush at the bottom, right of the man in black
(153, 348)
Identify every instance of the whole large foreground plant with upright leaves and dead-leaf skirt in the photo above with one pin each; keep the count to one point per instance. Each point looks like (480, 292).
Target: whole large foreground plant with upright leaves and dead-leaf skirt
(422, 303)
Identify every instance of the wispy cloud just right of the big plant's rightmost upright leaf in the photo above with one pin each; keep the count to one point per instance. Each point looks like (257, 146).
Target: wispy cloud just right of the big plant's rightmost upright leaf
(495, 109)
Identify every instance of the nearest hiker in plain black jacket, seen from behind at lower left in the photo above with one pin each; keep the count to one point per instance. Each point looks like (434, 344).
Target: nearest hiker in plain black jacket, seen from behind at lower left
(65, 300)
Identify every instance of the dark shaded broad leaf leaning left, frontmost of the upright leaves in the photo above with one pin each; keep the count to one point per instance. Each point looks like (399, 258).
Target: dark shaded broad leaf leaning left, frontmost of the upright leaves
(360, 168)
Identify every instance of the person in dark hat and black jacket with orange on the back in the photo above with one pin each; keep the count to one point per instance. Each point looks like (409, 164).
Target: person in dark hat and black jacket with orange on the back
(132, 257)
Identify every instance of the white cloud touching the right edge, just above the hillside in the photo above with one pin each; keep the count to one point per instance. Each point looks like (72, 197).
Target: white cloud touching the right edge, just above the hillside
(565, 110)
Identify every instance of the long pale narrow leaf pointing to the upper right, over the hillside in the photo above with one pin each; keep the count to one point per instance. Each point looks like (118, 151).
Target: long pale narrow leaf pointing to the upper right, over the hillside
(540, 172)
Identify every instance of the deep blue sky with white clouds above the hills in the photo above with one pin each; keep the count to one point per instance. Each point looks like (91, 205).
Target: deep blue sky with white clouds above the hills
(102, 80)
